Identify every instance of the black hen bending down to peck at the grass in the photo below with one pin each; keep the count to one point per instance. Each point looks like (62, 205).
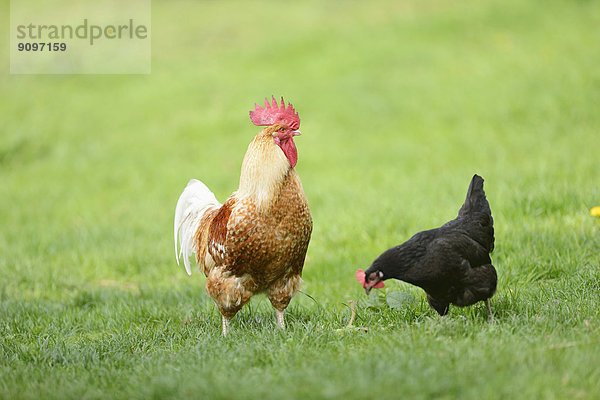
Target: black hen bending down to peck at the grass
(451, 263)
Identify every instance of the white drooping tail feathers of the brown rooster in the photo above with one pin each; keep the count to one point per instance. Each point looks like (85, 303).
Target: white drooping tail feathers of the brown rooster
(193, 203)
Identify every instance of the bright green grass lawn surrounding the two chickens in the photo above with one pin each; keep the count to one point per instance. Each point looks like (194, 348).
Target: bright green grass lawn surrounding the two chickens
(400, 105)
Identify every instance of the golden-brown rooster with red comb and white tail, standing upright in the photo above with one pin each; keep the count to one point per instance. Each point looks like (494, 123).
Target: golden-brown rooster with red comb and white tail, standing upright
(256, 241)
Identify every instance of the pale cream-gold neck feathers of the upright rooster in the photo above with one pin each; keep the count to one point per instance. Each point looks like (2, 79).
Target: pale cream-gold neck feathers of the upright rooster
(264, 169)
